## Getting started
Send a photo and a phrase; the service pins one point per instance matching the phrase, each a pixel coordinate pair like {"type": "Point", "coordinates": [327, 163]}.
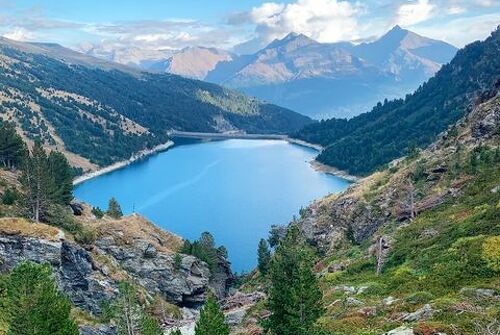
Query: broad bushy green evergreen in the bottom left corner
{"type": "Point", "coordinates": [35, 306]}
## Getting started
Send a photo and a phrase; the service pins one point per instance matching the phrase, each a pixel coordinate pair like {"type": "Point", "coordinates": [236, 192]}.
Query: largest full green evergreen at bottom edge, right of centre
{"type": "Point", "coordinates": [295, 297]}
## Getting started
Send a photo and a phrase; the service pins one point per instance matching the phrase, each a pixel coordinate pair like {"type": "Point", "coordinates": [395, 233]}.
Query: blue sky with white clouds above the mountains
{"type": "Point", "coordinates": [241, 25]}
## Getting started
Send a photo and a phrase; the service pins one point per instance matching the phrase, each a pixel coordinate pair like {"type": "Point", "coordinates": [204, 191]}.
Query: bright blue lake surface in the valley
{"type": "Point", "coordinates": [235, 189]}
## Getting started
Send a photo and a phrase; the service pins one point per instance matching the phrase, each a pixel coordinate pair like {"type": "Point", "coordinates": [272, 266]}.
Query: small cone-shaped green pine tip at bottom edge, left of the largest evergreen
{"type": "Point", "coordinates": [211, 320]}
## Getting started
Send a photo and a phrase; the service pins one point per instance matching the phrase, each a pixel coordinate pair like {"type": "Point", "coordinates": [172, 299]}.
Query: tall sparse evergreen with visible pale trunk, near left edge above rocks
{"type": "Point", "coordinates": [38, 183]}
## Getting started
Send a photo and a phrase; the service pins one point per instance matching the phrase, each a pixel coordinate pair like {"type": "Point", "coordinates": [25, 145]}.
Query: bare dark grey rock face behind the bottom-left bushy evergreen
{"type": "Point", "coordinates": [75, 272]}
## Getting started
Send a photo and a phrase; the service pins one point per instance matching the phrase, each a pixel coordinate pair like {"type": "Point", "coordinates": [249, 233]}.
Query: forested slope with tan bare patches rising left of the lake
{"type": "Point", "coordinates": [87, 106]}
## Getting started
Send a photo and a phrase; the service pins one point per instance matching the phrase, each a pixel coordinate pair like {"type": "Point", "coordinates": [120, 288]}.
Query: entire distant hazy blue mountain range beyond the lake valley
{"type": "Point", "coordinates": [316, 79]}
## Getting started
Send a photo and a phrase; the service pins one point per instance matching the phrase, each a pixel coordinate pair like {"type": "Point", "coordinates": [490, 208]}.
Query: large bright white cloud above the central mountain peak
{"type": "Point", "coordinates": [323, 20]}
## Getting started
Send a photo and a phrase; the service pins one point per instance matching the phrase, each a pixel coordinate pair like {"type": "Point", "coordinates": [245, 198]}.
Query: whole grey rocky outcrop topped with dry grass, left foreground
{"type": "Point", "coordinates": [130, 249]}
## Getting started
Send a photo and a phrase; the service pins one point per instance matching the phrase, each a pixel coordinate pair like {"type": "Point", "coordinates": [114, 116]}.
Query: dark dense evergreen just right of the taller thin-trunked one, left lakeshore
{"type": "Point", "coordinates": [62, 176]}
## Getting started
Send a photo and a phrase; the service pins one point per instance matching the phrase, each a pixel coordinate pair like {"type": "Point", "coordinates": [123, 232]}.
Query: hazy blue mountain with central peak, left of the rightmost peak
{"type": "Point", "coordinates": [297, 71]}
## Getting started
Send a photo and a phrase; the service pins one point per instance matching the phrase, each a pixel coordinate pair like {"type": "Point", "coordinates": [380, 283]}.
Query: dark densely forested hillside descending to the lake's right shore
{"type": "Point", "coordinates": [367, 142]}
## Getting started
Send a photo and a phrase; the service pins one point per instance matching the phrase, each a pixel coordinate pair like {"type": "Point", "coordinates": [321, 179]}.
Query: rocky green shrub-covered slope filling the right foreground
{"type": "Point", "coordinates": [412, 249]}
